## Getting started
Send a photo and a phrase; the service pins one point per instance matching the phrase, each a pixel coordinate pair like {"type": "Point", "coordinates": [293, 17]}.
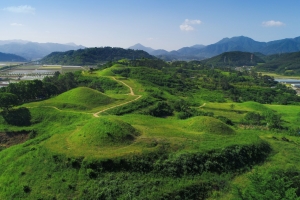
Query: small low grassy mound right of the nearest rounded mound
{"type": "Point", "coordinates": [209, 125]}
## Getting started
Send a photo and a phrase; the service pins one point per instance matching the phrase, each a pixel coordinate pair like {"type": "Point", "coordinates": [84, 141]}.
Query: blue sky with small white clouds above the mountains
{"type": "Point", "coordinates": [160, 24]}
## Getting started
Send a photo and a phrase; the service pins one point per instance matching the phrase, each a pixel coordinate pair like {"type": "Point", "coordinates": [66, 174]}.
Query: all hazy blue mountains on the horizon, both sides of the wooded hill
{"type": "Point", "coordinates": [34, 50]}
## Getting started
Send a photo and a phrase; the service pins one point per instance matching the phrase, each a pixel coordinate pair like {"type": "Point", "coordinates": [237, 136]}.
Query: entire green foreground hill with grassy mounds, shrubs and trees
{"type": "Point", "coordinates": [146, 129]}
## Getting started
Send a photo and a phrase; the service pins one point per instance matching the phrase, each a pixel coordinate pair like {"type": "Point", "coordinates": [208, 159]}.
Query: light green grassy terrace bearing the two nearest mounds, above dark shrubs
{"type": "Point", "coordinates": [90, 138]}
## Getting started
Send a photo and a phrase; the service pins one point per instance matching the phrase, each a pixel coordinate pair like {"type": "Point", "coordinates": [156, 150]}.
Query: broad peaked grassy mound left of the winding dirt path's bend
{"type": "Point", "coordinates": [81, 98]}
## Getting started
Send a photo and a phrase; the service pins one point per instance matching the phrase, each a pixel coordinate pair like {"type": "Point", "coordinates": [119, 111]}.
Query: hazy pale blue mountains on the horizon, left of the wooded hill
{"type": "Point", "coordinates": [34, 50]}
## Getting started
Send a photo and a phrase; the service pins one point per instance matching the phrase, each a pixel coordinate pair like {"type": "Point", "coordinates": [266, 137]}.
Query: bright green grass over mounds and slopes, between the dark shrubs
{"type": "Point", "coordinates": [54, 164]}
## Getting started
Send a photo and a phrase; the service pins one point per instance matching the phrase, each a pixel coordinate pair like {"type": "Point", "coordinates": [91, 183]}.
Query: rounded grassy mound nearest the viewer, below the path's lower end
{"type": "Point", "coordinates": [102, 132]}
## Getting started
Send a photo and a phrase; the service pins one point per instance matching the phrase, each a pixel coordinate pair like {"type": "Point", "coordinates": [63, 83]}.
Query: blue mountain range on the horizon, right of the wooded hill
{"type": "Point", "coordinates": [240, 43]}
